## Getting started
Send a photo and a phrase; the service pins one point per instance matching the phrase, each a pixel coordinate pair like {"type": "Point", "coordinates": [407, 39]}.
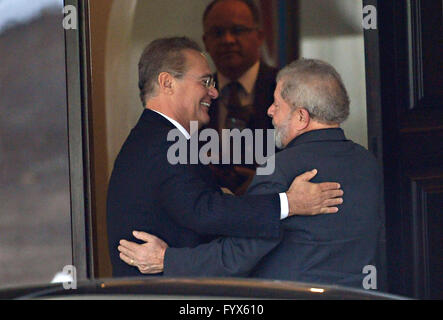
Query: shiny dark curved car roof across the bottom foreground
{"type": "Point", "coordinates": [193, 289]}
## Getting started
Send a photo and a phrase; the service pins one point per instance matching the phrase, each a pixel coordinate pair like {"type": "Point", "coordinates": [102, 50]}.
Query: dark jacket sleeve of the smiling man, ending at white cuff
{"type": "Point", "coordinates": [199, 205]}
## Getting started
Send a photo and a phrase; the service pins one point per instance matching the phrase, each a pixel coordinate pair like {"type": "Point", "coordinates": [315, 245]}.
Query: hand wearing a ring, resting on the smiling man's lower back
{"type": "Point", "coordinates": [147, 257]}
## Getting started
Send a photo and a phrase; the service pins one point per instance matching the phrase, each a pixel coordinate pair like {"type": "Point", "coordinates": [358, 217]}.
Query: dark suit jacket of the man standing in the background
{"type": "Point", "coordinates": [263, 97]}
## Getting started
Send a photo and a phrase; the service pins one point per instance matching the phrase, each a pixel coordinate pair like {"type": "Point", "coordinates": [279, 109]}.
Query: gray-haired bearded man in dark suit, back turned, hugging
{"type": "Point", "coordinates": [309, 105]}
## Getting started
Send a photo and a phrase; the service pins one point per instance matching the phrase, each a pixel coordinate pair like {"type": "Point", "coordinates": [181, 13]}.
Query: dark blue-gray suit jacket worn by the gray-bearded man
{"type": "Point", "coordinates": [327, 249]}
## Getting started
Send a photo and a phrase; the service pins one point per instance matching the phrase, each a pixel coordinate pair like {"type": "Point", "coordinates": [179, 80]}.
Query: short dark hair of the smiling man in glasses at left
{"type": "Point", "coordinates": [162, 55]}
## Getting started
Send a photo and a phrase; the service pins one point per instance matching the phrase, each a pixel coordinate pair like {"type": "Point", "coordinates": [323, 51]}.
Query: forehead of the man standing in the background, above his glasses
{"type": "Point", "coordinates": [227, 13]}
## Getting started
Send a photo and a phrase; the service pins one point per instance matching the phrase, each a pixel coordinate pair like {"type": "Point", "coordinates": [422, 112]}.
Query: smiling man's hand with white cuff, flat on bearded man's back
{"type": "Point", "coordinates": [307, 198]}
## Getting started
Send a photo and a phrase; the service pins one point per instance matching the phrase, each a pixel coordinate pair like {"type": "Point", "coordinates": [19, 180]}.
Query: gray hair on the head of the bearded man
{"type": "Point", "coordinates": [316, 86]}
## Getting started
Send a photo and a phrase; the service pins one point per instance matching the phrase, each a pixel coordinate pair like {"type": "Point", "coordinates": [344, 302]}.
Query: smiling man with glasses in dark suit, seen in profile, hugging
{"type": "Point", "coordinates": [181, 203]}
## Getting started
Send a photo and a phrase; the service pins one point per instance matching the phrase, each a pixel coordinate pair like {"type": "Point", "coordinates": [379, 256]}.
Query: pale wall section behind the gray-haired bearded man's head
{"type": "Point", "coordinates": [331, 31]}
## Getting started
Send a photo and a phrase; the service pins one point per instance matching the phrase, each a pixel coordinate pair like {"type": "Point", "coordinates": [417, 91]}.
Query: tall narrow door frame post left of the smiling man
{"type": "Point", "coordinates": [79, 137]}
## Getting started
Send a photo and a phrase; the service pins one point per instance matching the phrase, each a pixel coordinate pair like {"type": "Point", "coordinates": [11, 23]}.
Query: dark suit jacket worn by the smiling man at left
{"type": "Point", "coordinates": [178, 203]}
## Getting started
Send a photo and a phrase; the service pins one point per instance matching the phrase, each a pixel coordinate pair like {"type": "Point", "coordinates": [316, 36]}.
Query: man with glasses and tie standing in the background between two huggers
{"type": "Point", "coordinates": [233, 37]}
